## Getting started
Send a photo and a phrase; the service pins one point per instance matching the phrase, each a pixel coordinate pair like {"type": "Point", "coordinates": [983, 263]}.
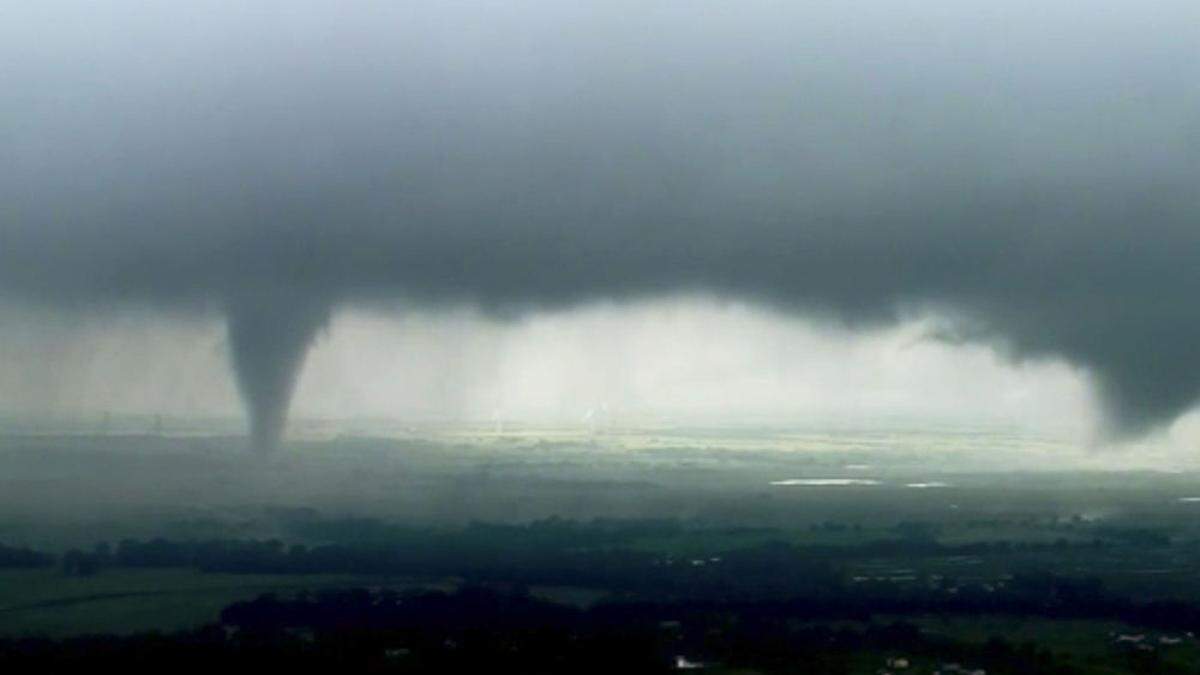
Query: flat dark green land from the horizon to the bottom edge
{"type": "Point", "coordinates": [463, 549]}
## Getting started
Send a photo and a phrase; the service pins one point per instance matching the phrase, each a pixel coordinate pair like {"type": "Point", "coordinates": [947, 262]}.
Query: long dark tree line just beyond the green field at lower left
{"type": "Point", "coordinates": [490, 552]}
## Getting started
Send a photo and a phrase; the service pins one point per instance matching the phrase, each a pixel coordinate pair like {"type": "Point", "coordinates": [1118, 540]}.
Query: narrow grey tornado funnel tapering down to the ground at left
{"type": "Point", "coordinates": [269, 338]}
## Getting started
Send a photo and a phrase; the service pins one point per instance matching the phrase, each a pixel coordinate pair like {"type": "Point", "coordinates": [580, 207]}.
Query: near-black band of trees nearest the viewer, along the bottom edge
{"type": "Point", "coordinates": [477, 630]}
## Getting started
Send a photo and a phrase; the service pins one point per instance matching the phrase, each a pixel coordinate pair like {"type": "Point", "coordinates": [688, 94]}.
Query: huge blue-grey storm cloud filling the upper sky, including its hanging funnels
{"type": "Point", "coordinates": [1029, 170]}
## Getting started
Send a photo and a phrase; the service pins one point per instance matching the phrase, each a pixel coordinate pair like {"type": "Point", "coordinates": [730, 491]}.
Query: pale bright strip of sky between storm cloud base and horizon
{"type": "Point", "coordinates": [689, 361]}
